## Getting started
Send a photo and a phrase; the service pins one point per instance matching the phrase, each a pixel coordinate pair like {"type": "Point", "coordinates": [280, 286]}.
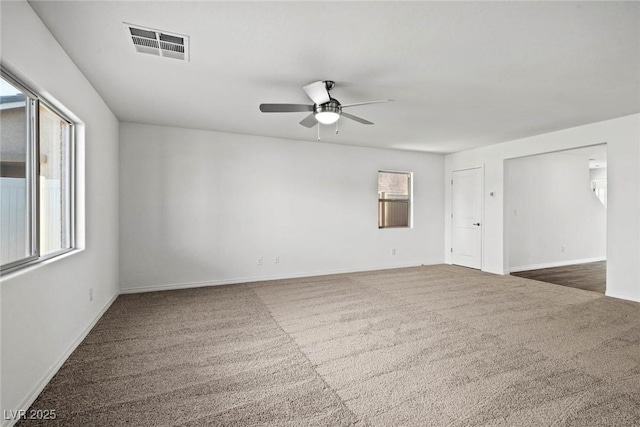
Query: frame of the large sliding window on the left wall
{"type": "Point", "coordinates": [32, 173]}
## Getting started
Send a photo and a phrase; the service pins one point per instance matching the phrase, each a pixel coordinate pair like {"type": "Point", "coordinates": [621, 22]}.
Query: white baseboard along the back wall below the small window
{"type": "Point", "coordinates": [251, 279]}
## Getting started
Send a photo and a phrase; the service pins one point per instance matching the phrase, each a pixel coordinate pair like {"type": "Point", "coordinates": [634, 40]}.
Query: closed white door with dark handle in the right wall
{"type": "Point", "coordinates": [466, 218]}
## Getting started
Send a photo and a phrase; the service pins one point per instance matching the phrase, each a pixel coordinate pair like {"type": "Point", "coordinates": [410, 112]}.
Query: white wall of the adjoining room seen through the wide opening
{"type": "Point", "coordinates": [553, 217]}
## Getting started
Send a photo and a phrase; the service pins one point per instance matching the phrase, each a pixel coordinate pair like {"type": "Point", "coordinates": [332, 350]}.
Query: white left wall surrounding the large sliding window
{"type": "Point", "coordinates": [46, 309]}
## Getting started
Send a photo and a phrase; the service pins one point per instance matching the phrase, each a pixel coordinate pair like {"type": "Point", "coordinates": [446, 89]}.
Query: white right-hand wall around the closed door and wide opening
{"type": "Point", "coordinates": [622, 136]}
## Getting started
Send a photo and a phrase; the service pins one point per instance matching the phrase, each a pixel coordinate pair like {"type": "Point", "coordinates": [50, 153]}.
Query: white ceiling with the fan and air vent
{"type": "Point", "coordinates": [462, 74]}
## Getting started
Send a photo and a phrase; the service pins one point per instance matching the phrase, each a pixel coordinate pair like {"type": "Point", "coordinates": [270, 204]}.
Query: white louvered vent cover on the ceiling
{"type": "Point", "coordinates": [159, 43]}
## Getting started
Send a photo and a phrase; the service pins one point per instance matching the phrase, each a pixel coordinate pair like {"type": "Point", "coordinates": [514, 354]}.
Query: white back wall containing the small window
{"type": "Point", "coordinates": [200, 207]}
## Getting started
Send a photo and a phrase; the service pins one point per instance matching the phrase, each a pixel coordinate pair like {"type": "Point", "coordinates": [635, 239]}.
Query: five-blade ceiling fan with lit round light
{"type": "Point", "coordinates": [325, 109]}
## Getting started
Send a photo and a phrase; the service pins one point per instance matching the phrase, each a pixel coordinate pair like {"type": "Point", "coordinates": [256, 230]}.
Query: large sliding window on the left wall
{"type": "Point", "coordinates": [36, 167]}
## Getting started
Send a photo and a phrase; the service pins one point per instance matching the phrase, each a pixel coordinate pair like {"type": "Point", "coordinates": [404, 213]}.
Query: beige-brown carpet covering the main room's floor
{"type": "Point", "coordinates": [437, 345]}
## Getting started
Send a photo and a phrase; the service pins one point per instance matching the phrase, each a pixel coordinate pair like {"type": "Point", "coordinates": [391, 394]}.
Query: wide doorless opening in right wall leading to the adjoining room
{"type": "Point", "coordinates": [556, 216]}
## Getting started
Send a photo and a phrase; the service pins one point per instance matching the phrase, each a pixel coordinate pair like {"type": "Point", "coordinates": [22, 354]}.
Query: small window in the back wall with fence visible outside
{"type": "Point", "coordinates": [394, 199]}
